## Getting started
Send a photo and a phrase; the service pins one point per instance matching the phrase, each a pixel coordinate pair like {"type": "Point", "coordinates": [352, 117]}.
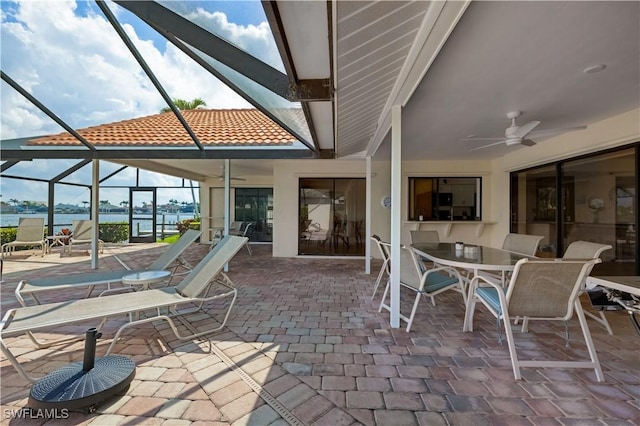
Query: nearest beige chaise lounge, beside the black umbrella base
{"type": "Point", "coordinates": [194, 292]}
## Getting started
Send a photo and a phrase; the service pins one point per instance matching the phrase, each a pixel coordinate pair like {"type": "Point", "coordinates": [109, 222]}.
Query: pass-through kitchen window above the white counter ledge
{"type": "Point", "coordinates": [445, 198]}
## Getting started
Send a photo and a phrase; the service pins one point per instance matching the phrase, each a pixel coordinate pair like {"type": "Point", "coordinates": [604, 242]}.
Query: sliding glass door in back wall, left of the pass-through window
{"type": "Point", "coordinates": [331, 216]}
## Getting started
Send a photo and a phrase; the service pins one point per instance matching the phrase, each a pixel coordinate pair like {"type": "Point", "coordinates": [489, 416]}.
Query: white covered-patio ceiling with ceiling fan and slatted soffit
{"type": "Point", "coordinates": [501, 56]}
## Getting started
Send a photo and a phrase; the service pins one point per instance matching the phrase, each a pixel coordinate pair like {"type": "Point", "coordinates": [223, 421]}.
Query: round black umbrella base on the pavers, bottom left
{"type": "Point", "coordinates": [73, 389]}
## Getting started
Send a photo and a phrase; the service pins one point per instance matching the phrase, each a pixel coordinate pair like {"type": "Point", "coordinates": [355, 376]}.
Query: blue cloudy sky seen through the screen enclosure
{"type": "Point", "coordinates": [68, 56]}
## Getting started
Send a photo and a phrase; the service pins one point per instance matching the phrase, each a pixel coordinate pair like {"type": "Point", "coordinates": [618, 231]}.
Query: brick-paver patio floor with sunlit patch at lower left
{"type": "Point", "coordinates": [306, 345]}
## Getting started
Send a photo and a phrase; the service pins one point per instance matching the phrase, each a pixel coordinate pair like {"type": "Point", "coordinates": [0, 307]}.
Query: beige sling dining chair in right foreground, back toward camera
{"type": "Point", "coordinates": [538, 290]}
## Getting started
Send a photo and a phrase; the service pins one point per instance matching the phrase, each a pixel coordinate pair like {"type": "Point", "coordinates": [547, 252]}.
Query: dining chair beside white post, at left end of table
{"type": "Point", "coordinates": [425, 282]}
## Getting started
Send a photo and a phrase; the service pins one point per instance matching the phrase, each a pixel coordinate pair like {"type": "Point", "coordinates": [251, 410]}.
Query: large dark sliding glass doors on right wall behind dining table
{"type": "Point", "coordinates": [592, 198]}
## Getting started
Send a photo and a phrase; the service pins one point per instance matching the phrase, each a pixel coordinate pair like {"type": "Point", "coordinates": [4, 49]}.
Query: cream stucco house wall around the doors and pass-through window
{"type": "Point", "coordinates": [613, 132]}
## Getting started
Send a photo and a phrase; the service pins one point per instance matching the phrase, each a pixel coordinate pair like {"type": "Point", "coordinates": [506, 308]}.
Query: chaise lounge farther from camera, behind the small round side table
{"type": "Point", "coordinates": [170, 256]}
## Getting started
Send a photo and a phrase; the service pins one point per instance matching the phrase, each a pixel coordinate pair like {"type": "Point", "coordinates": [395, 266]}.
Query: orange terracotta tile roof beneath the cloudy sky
{"type": "Point", "coordinates": [226, 127]}
